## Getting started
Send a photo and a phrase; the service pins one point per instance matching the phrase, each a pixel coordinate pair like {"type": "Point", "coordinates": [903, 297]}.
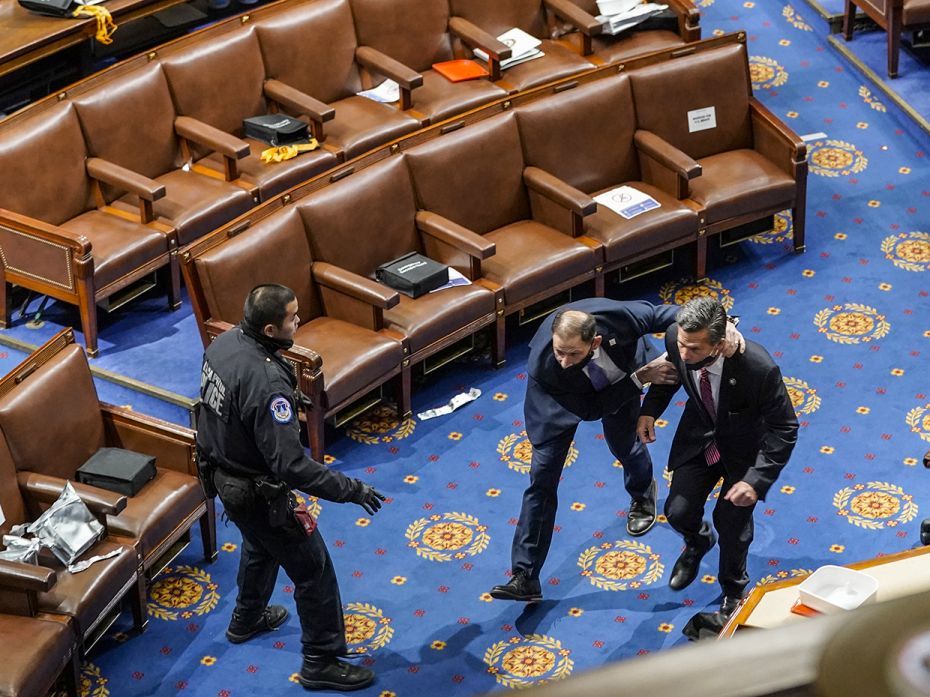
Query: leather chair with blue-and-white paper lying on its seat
{"type": "Point", "coordinates": [596, 151]}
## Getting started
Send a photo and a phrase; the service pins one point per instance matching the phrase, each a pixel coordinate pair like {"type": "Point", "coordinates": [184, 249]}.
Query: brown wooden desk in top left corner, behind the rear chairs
{"type": "Point", "coordinates": [26, 37]}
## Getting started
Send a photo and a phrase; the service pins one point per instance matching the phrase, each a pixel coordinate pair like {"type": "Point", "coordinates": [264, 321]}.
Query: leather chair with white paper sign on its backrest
{"type": "Point", "coordinates": [752, 165]}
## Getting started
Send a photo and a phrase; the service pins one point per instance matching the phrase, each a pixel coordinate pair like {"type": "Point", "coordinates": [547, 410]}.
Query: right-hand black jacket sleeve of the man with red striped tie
{"type": "Point", "coordinates": [781, 433]}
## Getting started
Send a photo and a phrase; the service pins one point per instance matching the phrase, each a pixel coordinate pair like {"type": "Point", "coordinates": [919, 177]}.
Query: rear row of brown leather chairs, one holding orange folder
{"type": "Point", "coordinates": [101, 184]}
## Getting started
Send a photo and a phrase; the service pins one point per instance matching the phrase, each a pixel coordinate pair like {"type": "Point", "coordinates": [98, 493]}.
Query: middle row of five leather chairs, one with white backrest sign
{"type": "Point", "coordinates": [506, 199]}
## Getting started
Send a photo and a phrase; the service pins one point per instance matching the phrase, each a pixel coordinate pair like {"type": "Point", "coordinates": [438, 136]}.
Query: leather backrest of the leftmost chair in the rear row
{"type": "Point", "coordinates": [42, 171]}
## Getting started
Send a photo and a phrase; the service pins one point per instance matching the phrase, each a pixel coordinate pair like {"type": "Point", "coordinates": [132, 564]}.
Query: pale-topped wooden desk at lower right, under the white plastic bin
{"type": "Point", "coordinates": [768, 606]}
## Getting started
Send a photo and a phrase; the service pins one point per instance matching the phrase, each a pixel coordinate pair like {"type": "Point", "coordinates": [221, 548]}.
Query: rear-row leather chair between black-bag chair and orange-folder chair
{"type": "Point", "coordinates": [311, 46]}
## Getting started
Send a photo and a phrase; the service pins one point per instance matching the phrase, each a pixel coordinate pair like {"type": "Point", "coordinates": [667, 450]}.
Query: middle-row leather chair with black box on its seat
{"type": "Point", "coordinates": [370, 218]}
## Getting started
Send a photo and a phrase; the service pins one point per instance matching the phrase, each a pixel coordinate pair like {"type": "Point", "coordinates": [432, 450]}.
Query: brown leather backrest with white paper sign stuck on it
{"type": "Point", "coordinates": [715, 79]}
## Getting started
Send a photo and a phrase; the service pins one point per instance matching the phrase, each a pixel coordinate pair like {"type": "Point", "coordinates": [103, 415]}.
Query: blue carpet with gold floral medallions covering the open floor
{"type": "Point", "coordinates": [848, 323]}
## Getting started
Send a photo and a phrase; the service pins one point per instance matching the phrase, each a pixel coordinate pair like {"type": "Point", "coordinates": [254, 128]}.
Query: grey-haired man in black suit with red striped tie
{"type": "Point", "coordinates": [738, 424]}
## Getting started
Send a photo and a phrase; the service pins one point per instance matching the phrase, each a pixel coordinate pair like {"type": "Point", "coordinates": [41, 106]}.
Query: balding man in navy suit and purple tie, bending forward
{"type": "Point", "coordinates": [588, 361]}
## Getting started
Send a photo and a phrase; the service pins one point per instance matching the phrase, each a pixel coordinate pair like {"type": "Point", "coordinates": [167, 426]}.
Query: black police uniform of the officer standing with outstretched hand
{"type": "Point", "coordinates": [248, 433]}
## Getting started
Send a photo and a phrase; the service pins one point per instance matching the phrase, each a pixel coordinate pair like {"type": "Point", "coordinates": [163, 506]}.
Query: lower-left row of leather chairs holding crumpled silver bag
{"type": "Point", "coordinates": [51, 421]}
